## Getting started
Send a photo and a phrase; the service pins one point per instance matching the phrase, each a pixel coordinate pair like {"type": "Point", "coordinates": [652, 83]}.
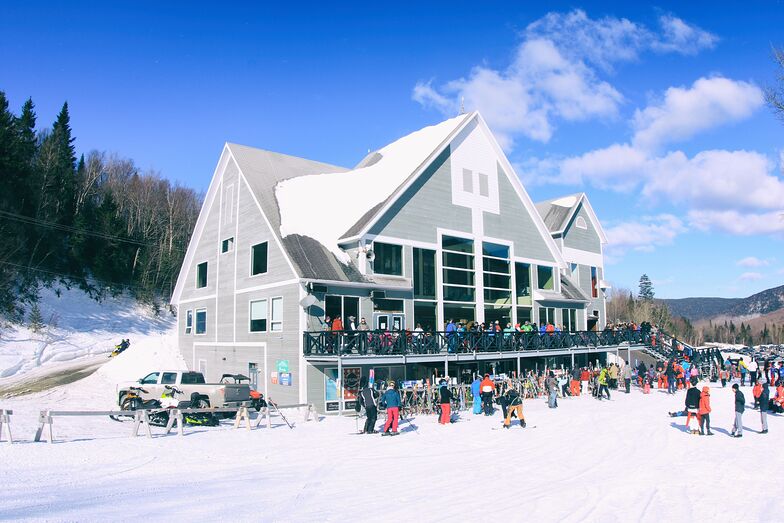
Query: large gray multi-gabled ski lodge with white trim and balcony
{"type": "Point", "coordinates": [433, 227]}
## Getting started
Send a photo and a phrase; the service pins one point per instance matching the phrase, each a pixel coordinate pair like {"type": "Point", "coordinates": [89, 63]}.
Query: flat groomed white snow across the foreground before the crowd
{"type": "Point", "coordinates": [620, 460]}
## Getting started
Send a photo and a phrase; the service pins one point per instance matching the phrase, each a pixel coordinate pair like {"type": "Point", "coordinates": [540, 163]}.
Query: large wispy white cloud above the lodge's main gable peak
{"type": "Point", "coordinates": [553, 75]}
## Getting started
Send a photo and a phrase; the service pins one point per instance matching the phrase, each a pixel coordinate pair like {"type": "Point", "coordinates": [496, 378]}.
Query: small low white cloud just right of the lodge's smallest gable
{"type": "Point", "coordinates": [644, 234]}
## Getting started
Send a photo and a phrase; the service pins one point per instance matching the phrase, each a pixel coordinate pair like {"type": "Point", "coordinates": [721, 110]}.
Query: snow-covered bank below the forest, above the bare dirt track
{"type": "Point", "coordinates": [79, 332]}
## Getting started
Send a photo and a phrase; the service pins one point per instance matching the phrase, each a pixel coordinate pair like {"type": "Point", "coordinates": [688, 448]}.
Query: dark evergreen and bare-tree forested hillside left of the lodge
{"type": "Point", "coordinates": [90, 220]}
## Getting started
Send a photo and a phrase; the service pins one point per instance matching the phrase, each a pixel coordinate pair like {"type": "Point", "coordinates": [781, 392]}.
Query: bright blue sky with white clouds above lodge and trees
{"type": "Point", "coordinates": [655, 111]}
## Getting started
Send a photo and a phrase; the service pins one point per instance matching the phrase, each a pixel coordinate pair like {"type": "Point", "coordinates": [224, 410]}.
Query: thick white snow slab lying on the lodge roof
{"type": "Point", "coordinates": [336, 201]}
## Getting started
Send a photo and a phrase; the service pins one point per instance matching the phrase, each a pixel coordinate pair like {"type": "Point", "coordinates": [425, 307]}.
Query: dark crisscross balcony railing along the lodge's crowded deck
{"type": "Point", "coordinates": [399, 343]}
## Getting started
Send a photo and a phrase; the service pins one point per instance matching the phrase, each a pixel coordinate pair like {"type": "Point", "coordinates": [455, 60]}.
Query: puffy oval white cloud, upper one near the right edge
{"type": "Point", "coordinates": [683, 112]}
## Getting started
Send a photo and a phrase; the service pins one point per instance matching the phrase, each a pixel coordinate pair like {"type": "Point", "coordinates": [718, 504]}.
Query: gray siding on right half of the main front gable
{"type": "Point", "coordinates": [515, 223]}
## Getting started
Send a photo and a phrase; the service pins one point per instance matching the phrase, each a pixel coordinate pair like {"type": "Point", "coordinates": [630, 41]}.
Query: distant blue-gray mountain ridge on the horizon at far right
{"type": "Point", "coordinates": [764, 302]}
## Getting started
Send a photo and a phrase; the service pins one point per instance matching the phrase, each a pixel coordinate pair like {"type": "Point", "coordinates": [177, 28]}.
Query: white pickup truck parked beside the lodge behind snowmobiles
{"type": "Point", "coordinates": [154, 384]}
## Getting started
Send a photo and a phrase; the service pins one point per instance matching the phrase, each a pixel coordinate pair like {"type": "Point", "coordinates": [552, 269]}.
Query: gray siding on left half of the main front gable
{"type": "Point", "coordinates": [425, 206]}
